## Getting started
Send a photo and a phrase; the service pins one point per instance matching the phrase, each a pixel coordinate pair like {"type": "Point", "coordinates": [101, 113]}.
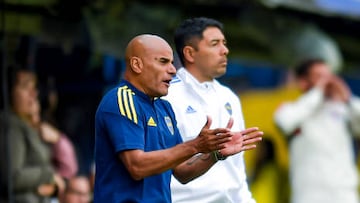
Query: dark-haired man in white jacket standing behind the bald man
{"type": "Point", "coordinates": [194, 94]}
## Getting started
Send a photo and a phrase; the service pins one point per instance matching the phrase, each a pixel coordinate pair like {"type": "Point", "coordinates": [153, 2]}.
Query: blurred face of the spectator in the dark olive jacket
{"type": "Point", "coordinates": [24, 94]}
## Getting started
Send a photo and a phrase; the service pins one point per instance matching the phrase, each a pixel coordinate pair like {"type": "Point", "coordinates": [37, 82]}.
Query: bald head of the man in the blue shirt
{"type": "Point", "coordinates": [149, 64]}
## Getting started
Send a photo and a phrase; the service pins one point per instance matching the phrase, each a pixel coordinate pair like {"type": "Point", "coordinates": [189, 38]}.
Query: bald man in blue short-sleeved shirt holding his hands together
{"type": "Point", "coordinates": [137, 144]}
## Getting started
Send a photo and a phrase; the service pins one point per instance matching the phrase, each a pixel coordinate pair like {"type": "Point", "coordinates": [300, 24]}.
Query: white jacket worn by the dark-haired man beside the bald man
{"type": "Point", "coordinates": [192, 102]}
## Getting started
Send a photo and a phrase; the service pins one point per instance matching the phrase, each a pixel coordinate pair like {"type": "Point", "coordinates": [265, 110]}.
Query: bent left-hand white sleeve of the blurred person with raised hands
{"type": "Point", "coordinates": [289, 116]}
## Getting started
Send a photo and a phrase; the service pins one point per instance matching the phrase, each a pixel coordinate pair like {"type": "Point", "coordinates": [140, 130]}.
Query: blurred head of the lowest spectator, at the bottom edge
{"type": "Point", "coordinates": [78, 190]}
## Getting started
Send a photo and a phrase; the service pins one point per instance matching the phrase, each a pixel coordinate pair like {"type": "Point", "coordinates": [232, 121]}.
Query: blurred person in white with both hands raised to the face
{"type": "Point", "coordinates": [319, 126]}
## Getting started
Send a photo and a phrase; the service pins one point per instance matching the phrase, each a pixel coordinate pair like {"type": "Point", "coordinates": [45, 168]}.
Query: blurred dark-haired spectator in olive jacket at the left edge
{"type": "Point", "coordinates": [31, 173]}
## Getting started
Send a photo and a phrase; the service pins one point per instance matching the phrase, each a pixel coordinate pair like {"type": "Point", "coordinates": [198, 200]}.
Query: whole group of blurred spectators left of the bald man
{"type": "Point", "coordinates": [40, 162]}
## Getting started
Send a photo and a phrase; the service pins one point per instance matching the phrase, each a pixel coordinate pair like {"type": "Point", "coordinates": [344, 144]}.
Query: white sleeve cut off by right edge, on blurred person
{"type": "Point", "coordinates": [354, 109]}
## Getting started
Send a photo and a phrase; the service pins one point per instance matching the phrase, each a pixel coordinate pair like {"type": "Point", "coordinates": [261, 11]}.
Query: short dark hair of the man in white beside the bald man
{"type": "Point", "coordinates": [191, 30]}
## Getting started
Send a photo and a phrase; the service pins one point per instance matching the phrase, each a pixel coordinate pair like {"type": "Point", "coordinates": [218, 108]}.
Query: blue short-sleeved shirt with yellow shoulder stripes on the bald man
{"type": "Point", "coordinates": [127, 119]}
